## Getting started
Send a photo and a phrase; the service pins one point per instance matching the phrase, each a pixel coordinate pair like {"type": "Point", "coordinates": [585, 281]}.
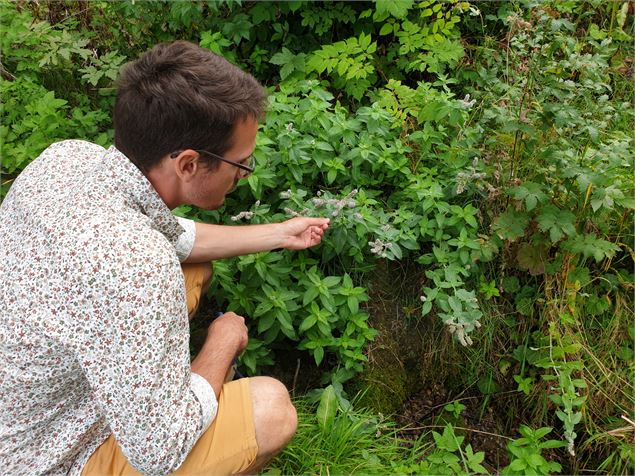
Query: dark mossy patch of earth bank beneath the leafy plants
{"type": "Point", "coordinates": [410, 352]}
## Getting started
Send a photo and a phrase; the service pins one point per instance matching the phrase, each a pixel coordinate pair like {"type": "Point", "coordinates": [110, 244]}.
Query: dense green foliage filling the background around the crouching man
{"type": "Point", "coordinates": [490, 143]}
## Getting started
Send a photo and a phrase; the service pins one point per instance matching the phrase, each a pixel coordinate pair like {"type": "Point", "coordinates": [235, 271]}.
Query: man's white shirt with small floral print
{"type": "Point", "coordinates": [94, 335]}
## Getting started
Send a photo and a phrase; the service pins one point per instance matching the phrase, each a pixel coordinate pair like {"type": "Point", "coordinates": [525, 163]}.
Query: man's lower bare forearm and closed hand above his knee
{"type": "Point", "coordinates": [226, 338]}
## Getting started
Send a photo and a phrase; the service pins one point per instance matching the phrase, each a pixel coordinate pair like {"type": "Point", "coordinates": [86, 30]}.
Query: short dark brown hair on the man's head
{"type": "Point", "coordinates": [180, 96]}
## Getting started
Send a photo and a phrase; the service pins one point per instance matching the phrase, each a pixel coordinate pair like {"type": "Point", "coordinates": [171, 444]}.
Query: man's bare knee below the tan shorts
{"type": "Point", "coordinates": [275, 416]}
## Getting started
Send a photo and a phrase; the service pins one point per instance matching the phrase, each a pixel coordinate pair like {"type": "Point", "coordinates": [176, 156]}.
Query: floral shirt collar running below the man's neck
{"type": "Point", "coordinates": [135, 186]}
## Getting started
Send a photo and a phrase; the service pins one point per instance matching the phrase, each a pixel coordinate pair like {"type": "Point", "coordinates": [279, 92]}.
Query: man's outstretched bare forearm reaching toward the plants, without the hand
{"type": "Point", "coordinates": [220, 241]}
